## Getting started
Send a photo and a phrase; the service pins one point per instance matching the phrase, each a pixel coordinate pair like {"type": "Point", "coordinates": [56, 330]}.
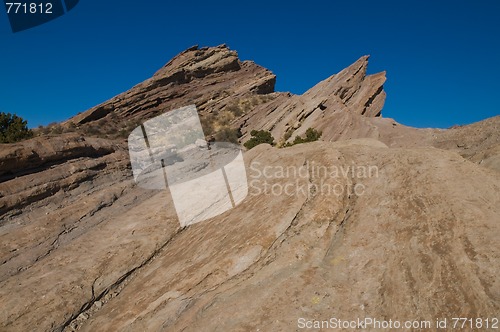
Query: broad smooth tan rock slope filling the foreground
{"type": "Point", "coordinates": [417, 227]}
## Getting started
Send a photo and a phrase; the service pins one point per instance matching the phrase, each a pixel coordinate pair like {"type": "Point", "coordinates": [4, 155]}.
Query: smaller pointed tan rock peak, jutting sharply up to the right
{"type": "Point", "coordinates": [349, 93]}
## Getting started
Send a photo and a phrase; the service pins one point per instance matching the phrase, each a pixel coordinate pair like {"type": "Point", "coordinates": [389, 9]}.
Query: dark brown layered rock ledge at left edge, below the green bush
{"type": "Point", "coordinates": [39, 168]}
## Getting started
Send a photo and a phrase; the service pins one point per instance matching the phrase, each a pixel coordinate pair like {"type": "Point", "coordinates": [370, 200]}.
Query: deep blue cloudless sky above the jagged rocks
{"type": "Point", "coordinates": [442, 57]}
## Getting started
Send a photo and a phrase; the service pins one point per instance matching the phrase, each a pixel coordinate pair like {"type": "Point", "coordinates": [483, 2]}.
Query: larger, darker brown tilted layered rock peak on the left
{"type": "Point", "coordinates": [210, 77]}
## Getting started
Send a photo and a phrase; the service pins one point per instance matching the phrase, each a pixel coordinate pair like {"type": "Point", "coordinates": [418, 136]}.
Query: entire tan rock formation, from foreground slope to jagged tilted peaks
{"type": "Point", "coordinates": [412, 233]}
